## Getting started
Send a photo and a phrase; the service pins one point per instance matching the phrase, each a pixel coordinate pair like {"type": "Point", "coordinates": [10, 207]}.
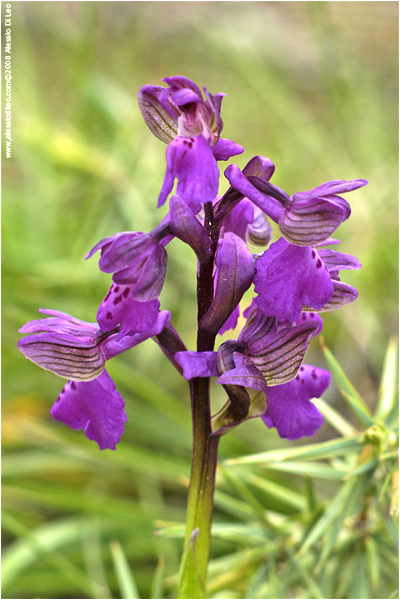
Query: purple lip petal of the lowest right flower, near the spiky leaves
{"type": "Point", "coordinates": [289, 406]}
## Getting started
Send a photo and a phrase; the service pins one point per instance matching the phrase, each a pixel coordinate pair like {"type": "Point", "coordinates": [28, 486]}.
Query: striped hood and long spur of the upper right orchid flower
{"type": "Point", "coordinates": [306, 218]}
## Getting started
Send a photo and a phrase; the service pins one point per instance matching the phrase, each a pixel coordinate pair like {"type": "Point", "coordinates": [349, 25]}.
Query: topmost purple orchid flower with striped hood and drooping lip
{"type": "Point", "coordinates": [191, 125]}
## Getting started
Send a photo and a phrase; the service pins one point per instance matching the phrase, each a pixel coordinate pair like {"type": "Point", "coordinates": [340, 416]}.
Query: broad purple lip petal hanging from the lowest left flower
{"type": "Point", "coordinates": [94, 406]}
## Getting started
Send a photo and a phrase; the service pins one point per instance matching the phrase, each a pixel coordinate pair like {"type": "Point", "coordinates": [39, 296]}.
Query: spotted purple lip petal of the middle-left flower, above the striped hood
{"type": "Point", "coordinates": [120, 308]}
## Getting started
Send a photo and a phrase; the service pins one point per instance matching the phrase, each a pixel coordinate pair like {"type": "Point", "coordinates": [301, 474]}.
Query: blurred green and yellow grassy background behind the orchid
{"type": "Point", "coordinates": [313, 86]}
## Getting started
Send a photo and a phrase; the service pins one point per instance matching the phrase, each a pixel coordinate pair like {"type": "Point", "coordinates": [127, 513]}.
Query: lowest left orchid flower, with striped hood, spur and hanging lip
{"type": "Point", "coordinates": [78, 351]}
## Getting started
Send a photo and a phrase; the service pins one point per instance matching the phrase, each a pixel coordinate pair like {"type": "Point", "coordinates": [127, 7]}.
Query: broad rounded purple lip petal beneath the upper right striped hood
{"type": "Point", "coordinates": [288, 277]}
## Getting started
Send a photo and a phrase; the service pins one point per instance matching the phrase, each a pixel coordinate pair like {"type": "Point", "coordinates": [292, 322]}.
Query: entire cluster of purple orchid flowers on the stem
{"type": "Point", "coordinates": [262, 371]}
